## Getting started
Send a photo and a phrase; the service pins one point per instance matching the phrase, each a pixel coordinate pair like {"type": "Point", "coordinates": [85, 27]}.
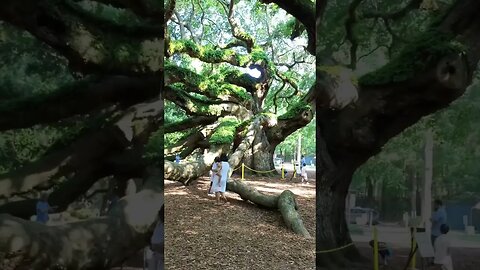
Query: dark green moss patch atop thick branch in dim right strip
{"type": "Point", "coordinates": [417, 56]}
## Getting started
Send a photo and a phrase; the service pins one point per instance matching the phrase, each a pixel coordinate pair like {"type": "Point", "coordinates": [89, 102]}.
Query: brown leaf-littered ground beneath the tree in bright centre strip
{"type": "Point", "coordinates": [240, 235]}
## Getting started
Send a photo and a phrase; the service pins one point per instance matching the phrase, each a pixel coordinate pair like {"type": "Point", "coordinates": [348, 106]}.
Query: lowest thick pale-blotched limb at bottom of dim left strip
{"type": "Point", "coordinates": [99, 243]}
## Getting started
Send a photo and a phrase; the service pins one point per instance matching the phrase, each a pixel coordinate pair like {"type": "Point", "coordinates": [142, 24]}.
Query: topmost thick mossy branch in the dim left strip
{"type": "Point", "coordinates": [87, 47]}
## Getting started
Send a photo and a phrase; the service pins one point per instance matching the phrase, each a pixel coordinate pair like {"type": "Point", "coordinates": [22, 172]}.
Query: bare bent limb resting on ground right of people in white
{"type": "Point", "coordinates": [285, 203]}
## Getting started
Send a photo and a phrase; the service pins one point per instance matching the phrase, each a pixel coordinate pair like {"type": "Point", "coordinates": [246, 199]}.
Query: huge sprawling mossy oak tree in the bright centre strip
{"type": "Point", "coordinates": [225, 110]}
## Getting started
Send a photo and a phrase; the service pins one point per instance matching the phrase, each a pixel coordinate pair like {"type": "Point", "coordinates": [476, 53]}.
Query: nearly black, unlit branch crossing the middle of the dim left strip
{"type": "Point", "coordinates": [78, 98]}
